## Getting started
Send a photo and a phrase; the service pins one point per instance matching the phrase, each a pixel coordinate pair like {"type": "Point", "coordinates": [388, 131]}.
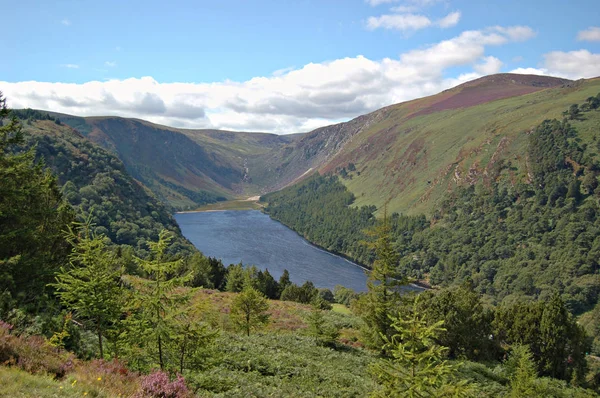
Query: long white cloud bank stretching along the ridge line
{"type": "Point", "coordinates": [286, 102]}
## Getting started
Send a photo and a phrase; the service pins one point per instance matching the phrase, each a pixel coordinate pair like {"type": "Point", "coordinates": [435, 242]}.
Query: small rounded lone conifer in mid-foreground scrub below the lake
{"type": "Point", "coordinates": [249, 310]}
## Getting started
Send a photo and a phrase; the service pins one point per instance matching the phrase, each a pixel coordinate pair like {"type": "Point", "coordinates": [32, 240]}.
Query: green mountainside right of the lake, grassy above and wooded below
{"type": "Point", "coordinates": [515, 213]}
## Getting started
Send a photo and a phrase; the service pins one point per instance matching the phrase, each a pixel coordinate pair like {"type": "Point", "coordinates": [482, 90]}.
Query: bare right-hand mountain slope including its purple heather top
{"type": "Point", "coordinates": [409, 154]}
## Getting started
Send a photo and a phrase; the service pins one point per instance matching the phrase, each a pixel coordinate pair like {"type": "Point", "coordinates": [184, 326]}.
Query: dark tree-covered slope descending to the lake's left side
{"type": "Point", "coordinates": [97, 185]}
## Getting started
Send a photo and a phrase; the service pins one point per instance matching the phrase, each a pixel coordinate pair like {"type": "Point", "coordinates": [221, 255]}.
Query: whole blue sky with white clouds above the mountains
{"type": "Point", "coordinates": [278, 66]}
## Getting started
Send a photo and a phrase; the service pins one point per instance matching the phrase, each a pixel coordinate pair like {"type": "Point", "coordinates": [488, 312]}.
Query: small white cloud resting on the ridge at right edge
{"type": "Point", "coordinates": [573, 64]}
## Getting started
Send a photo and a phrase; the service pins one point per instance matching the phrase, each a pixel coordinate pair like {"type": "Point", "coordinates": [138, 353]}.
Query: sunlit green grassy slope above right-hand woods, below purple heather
{"type": "Point", "coordinates": [410, 161]}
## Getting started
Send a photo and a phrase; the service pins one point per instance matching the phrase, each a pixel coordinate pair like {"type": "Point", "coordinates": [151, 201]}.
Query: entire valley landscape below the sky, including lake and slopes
{"type": "Point", "coordinates": [487, 192]}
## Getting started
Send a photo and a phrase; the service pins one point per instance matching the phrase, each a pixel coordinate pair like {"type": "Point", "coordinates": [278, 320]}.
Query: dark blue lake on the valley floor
{"type": "Point", "coordinates": [255, 239]}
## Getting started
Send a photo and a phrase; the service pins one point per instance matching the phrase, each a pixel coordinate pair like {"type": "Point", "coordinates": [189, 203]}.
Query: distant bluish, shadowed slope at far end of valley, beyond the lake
{"type": "Point", "coordinates": [184, 168]}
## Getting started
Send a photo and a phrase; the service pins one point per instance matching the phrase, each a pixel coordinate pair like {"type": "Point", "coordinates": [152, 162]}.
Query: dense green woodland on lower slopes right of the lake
{"type": "Point", "coordinates": [515, 240]}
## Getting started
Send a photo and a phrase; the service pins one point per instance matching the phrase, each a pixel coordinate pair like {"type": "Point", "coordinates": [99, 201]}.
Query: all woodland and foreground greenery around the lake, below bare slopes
{"type": "Point", "coordinates": [102, 296]}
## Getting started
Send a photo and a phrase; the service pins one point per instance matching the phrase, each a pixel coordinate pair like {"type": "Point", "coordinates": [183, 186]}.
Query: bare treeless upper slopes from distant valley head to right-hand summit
{"type": "Point", "coordinates": [406, 155]}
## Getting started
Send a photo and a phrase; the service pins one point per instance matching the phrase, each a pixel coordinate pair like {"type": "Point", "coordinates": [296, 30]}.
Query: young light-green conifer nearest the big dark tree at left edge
{"type": "Point", "coordinates": [91, 285]}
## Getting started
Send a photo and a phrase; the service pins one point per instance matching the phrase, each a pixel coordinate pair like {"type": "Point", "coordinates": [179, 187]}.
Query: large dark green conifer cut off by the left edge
{"type": "Point", "coordinates": [33, 217]}
